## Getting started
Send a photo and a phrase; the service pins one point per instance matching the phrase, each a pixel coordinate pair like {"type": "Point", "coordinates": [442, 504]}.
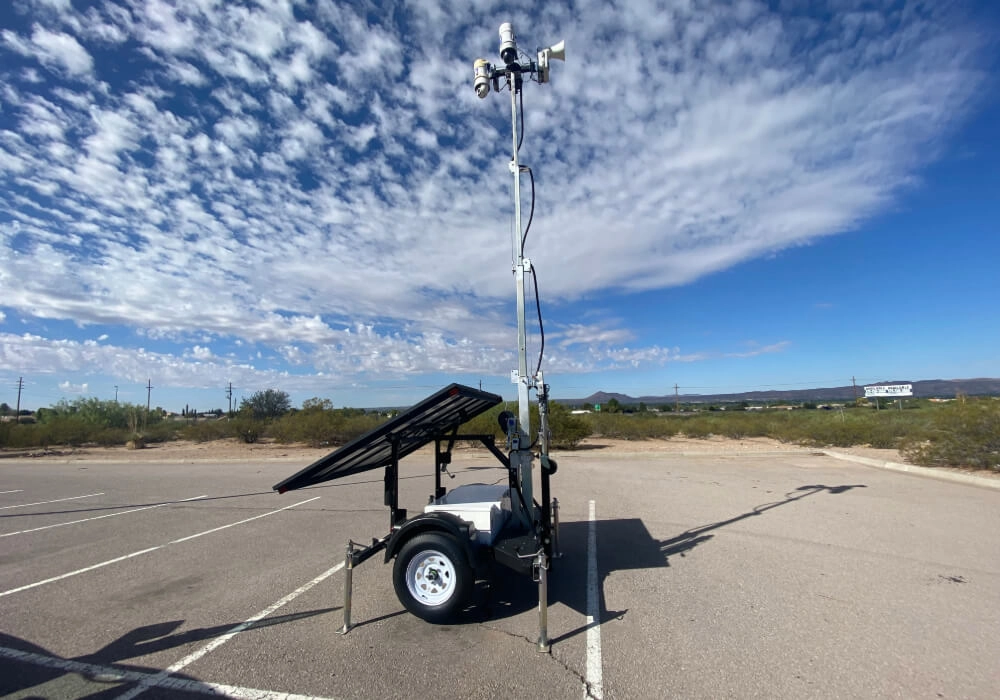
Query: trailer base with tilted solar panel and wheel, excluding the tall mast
{"type": "Point", "coordinates": [438, 551]}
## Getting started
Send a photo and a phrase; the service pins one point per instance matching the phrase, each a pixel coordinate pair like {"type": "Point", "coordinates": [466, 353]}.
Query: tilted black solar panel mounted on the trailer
{"type": "Point", "coordinates": [434, 416]}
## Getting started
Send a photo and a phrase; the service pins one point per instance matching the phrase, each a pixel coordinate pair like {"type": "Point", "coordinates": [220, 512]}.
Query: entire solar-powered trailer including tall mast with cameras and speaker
{"type": "Point", "coordinates": [438, 551]}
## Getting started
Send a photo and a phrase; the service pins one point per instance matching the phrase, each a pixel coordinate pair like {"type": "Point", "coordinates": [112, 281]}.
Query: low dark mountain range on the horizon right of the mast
{"type": "Point", "coordinates": [927, 388]}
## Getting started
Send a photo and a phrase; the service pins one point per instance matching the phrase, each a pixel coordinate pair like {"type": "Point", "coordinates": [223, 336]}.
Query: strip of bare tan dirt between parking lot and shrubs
{"type": "Point", "coordinates": [233, 450]}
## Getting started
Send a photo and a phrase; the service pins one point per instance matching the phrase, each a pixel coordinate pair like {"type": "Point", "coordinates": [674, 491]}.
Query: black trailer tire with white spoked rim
{"type": "Point", "coordinates": [432, 578]}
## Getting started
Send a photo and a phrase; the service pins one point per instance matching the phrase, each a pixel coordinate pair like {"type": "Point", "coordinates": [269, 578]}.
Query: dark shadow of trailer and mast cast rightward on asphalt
{"type": "Point", "coordinates": [622, 544]}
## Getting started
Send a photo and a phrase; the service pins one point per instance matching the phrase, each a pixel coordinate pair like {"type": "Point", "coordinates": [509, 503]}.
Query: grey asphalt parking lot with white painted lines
{"type": "Point", "coordinates": [787, 575]}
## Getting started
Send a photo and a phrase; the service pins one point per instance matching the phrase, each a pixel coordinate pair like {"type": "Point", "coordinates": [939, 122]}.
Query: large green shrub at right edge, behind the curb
{"type": "Point", "coordinates": [963, 434]}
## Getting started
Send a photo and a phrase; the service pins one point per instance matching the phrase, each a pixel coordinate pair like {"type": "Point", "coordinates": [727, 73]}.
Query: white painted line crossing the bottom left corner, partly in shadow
{"type": "Point", "coordinates": [180, 684]}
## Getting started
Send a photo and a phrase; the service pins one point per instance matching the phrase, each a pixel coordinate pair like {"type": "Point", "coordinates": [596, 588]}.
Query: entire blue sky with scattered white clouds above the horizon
{"type": "Point", "coordinates": [310, 197]}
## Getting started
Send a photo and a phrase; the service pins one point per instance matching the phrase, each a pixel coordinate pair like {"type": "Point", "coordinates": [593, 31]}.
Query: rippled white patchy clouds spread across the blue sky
{"type": "Point", "coordinates": [301, 178]}
